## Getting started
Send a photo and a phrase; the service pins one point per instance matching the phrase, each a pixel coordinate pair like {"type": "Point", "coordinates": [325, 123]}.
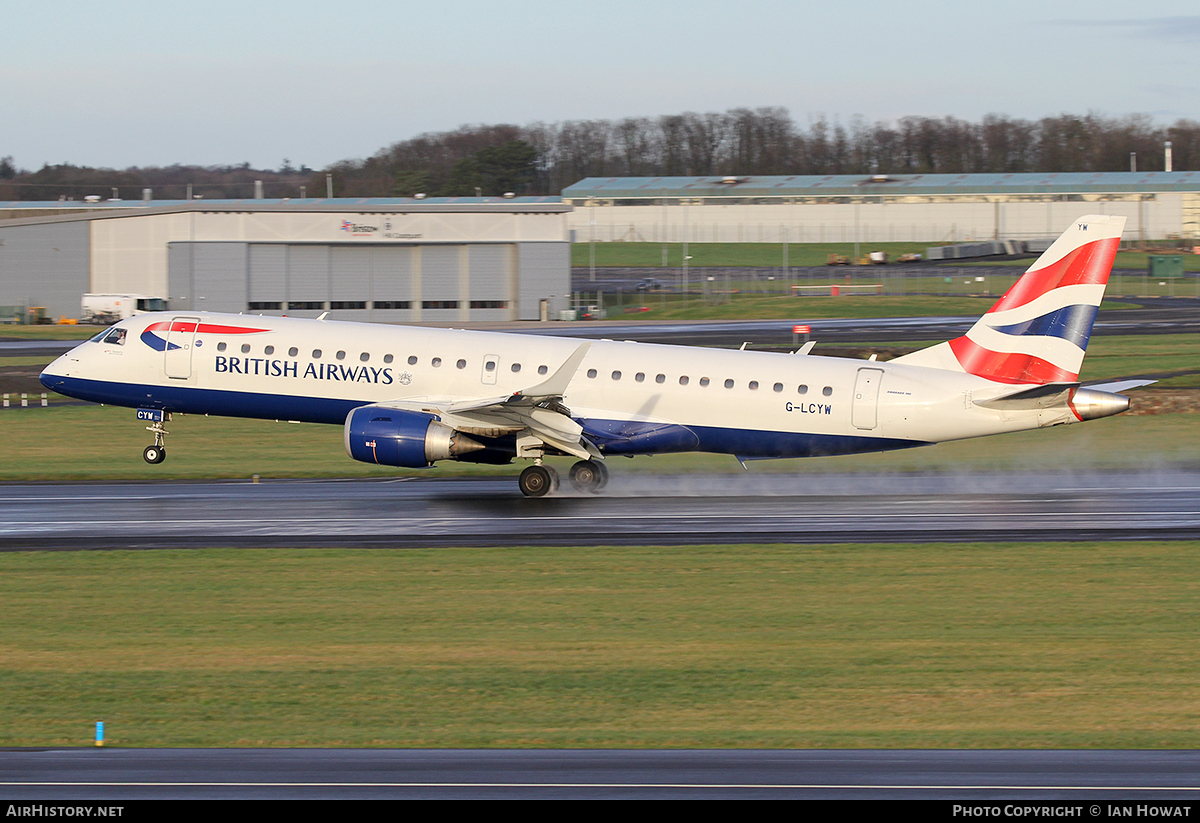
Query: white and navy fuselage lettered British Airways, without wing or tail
{"type": "Point", "coordinates": [629, 398]}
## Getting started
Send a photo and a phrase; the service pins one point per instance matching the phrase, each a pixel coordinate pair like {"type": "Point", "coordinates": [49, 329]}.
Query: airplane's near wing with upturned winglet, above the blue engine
{"type": "Point", "coordinates": [537, 410]}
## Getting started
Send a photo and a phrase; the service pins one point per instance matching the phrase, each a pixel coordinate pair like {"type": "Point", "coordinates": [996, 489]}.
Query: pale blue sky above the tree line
{"type": "Point", "coordinates": [134, 82]}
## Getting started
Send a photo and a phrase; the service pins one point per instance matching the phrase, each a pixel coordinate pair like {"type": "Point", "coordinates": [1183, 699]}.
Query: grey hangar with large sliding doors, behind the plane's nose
{"type": "Point", "coordinates": [387, 261]}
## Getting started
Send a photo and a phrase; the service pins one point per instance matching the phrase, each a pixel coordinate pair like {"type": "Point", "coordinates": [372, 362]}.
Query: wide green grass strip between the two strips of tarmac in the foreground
{"type": "Point", "coordinates": [865, 646]}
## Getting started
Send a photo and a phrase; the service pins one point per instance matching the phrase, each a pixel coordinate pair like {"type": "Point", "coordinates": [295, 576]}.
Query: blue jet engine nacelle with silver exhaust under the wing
{"type": "Point", "coordinates": [392, 437]}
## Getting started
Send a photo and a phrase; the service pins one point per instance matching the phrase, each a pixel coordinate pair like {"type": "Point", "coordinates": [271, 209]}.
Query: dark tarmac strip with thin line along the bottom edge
{"type": "Point", "coordinates": [1082, 777]}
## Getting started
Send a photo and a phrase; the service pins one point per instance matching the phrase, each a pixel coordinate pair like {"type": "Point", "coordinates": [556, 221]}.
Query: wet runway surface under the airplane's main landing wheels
{"type": "Point", "coordinates": [634, 510]}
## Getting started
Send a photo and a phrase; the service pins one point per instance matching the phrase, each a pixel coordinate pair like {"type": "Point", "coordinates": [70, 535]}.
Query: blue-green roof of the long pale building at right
{"type": "Point", "coordinates": [891, 184]}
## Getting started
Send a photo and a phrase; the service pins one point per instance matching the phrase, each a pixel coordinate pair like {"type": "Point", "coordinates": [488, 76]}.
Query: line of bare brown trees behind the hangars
{"type": "Point", "coordinates": [543, 159]}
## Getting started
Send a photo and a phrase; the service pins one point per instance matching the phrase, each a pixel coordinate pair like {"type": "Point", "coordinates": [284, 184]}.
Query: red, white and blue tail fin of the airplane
{"type": "Point", "coordinates": [1039, 332]}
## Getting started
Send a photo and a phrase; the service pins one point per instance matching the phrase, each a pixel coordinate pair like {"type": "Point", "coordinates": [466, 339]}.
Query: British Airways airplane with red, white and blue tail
{"type": "Point", "coordinates": [412, 397]}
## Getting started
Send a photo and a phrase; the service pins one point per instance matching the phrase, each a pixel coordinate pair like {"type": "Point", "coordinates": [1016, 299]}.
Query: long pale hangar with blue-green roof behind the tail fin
{"type": "Point", "coordinates": [880, 208]}
